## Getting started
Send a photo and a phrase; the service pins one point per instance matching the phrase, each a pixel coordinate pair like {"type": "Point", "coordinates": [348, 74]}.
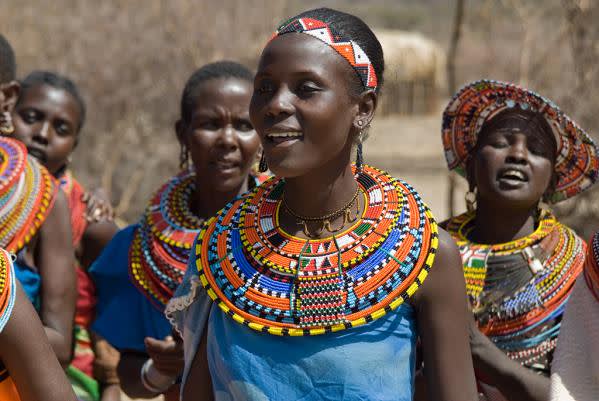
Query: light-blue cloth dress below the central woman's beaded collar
{"type": "Point", "coordinates": [375, 361]}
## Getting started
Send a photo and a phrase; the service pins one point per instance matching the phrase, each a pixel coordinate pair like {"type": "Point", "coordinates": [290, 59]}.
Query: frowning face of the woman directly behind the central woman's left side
{"type": "Point", "coordinates": [220, 137]}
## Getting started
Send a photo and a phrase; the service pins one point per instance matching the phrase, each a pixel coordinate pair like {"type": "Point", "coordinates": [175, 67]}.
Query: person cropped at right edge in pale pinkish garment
{"type": "Point", "coordinates": [575, 371]}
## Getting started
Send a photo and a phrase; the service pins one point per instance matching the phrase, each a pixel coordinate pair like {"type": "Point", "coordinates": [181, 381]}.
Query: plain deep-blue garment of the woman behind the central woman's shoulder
{"type": "Point", "coordinates": [124, 316]}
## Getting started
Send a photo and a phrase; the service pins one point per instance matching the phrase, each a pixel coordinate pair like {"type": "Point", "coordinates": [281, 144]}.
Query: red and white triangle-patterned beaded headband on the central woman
{"type": "Point", "coordinates": [347, 48]}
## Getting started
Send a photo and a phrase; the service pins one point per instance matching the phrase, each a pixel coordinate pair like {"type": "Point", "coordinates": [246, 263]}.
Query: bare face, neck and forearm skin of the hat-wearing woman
{"type": "Point", "coordinates": [506, 205]}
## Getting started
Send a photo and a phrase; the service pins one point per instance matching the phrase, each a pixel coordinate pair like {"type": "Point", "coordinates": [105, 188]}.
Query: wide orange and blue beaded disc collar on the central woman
{"type": "Point", "coordinates": [276, 283]}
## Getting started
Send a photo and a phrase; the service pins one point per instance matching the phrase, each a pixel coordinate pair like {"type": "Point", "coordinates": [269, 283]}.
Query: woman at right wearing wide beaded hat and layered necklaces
{"type": "Point", "coordinates": [516, 149]}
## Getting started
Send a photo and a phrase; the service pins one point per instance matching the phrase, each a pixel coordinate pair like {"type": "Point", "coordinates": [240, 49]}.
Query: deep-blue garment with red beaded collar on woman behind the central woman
{"type": "Point", "coordinates": [141, 267]}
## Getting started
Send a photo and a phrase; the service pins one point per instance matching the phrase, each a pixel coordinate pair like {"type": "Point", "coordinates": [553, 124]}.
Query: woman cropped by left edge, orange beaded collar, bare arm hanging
{"type": "Point", "coordinates": [35, 227]}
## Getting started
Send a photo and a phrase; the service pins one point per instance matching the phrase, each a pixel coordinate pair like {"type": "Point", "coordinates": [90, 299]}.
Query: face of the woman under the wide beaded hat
{"type": "Point", "coordinates": [513, 167]}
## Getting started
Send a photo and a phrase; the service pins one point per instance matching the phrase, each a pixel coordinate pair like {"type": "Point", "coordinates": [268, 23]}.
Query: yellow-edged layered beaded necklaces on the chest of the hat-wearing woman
{"type": "Point", "coordinates": [518, 290]}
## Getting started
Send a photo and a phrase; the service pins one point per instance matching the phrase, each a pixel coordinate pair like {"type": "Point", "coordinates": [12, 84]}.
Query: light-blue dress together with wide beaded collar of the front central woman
{"type": "Point", "coordinates": [258, 286]}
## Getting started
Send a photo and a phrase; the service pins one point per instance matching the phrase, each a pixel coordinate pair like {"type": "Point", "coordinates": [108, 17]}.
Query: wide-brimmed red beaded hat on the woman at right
{"type": "Point", "coordinates": [576, 166]}
